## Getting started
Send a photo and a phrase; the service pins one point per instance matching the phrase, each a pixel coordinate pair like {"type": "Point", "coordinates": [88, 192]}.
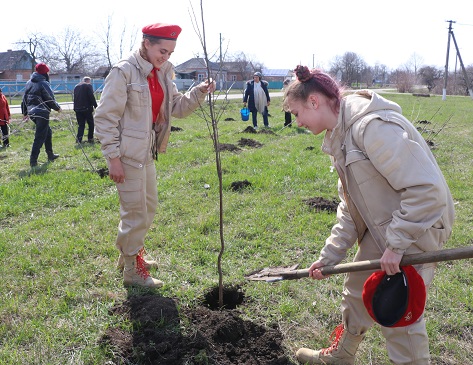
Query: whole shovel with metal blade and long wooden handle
{"type": "Point", "coordinates": [290, 273]}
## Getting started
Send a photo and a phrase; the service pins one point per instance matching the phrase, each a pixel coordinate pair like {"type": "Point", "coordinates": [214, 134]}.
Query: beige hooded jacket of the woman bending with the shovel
{"type": "Point", "coordinates": [390, 183]}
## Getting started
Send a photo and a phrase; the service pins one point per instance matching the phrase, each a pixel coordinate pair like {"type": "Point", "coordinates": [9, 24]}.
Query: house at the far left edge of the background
{"type": "Point", "coordinates": [15, 65]}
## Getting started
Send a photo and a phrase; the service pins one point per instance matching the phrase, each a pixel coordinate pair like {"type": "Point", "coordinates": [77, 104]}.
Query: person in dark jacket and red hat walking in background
{"type": "Point", "coordinates": [37, 103]}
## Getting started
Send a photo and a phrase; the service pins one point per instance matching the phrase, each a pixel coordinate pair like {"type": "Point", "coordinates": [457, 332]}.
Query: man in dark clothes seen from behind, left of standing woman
{"type": "Point", "coordinates": [84, 104]}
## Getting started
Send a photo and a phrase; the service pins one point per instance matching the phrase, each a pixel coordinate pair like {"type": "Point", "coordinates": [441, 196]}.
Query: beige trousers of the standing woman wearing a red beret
{"type": "Point", "coordinates": [138, 202]}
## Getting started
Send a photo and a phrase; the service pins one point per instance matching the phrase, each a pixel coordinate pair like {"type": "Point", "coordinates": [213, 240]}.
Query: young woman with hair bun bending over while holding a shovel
{"type": "Point", "coordinates": [394, 202]}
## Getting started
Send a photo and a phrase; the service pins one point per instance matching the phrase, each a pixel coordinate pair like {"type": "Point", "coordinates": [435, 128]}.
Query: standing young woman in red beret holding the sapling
{"type": "Point", "coordinates": [133, 124]}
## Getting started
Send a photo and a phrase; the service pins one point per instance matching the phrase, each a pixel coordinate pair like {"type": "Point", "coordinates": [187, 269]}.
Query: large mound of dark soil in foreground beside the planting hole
{"type": "Point", "coordinates": [161, 335]}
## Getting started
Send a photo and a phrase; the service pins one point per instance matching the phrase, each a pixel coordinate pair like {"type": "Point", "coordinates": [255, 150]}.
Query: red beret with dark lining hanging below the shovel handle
{"type": "Point", "coordinates": [397, 300]}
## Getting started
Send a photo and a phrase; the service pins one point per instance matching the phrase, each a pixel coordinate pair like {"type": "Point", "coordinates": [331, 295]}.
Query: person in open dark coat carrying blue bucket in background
{"type": "Point", "coordinates": [257, 97]}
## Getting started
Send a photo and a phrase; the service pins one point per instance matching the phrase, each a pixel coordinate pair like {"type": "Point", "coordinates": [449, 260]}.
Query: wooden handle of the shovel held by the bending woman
{"type": "Point", "coordinates": [420, 258]}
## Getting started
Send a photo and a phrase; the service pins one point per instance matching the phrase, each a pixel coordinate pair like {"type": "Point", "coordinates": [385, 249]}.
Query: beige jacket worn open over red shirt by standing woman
{"type": "Point", "coordinates": [123, 118]}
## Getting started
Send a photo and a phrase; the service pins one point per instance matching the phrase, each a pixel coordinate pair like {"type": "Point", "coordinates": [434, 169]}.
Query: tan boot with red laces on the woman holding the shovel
{"type": "Point", "coordinates": [341, 352]}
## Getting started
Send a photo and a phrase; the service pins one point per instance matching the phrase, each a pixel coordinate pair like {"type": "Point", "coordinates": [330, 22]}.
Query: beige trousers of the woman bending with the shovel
{"type": "Point", "coordinates": [405, 345]}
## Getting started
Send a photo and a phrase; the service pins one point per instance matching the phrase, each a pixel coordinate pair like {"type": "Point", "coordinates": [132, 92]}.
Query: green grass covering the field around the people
{"type": "Point", "coordinates": [58, 226]}
